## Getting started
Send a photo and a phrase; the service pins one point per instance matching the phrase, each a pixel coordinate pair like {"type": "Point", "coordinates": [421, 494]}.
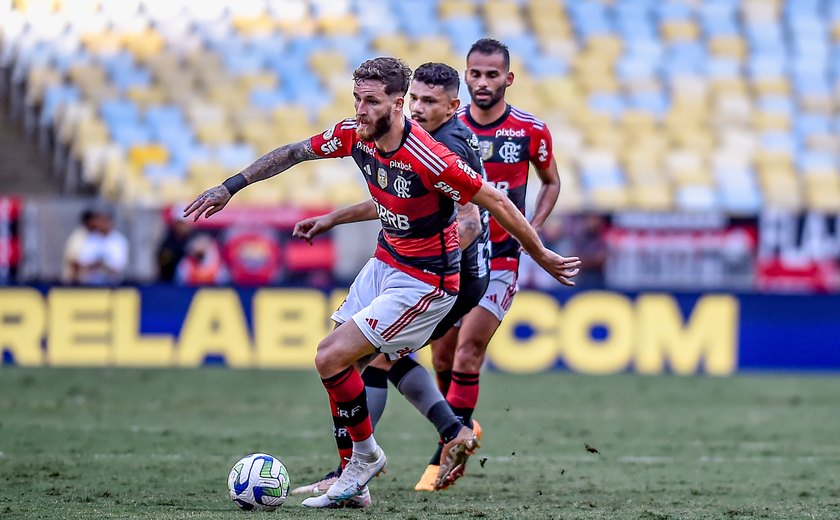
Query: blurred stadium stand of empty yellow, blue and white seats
{"type": "Point", "coordinates": [656, 105]}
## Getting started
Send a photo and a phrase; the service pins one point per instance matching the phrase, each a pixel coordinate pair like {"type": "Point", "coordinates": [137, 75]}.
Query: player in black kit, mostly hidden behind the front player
{"type": "Point", "coordinates": [433, 103]}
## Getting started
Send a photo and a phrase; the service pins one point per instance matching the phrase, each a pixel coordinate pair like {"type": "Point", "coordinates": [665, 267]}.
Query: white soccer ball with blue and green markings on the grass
{"type": "Point", "coordinates": [258, 482]}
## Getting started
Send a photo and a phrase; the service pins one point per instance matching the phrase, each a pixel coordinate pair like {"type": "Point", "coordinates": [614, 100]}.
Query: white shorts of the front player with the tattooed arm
{"type": "Point", "coordinates": [396, 312]}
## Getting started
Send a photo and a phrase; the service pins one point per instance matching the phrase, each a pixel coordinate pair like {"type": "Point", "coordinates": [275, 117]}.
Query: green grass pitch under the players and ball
{"type": "Point", "coordinates": [158, 444]}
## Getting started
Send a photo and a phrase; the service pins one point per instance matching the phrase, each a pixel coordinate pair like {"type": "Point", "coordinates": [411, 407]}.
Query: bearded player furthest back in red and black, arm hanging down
{"type": "Point", "coordinates": [510, 141]}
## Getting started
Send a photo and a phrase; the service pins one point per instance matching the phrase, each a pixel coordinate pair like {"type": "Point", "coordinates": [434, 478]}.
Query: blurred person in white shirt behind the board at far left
{"type": "Point", "coordinates": [96, 253]}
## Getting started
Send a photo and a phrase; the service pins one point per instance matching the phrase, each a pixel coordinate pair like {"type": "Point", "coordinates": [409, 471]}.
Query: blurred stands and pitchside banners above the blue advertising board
{"type": "Point", "coordinates": [697, 141]}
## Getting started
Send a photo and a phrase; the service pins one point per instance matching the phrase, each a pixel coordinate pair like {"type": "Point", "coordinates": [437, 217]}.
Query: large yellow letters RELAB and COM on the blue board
{"type": "Point", "coordinates": [101, 327]}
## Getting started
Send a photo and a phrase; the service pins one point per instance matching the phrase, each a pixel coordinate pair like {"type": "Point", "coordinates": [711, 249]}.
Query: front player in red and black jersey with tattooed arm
{"type": "Point", "coordinates": [413, 279]}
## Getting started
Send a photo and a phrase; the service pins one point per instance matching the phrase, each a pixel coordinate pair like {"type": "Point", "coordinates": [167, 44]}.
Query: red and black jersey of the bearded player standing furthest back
{"type": "Point", "coordinates": [507, 146]}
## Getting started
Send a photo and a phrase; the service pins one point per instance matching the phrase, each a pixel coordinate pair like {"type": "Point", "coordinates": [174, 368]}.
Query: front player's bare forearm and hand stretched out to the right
{"type": "Point", "coordinates": [509, 217]}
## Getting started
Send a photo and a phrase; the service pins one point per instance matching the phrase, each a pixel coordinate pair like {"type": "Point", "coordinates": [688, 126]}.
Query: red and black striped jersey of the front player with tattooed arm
{"type": "Point", "coordinates": [414, 189]}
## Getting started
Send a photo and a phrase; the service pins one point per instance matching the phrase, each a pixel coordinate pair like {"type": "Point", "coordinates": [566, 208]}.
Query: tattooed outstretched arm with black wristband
{"type": "Point", "coordinates": [274, 162]}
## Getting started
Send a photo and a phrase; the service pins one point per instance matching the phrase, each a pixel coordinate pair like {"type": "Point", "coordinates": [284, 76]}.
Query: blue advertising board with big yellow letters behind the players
{"type": "Point", "coordinates": [594, 332]}
